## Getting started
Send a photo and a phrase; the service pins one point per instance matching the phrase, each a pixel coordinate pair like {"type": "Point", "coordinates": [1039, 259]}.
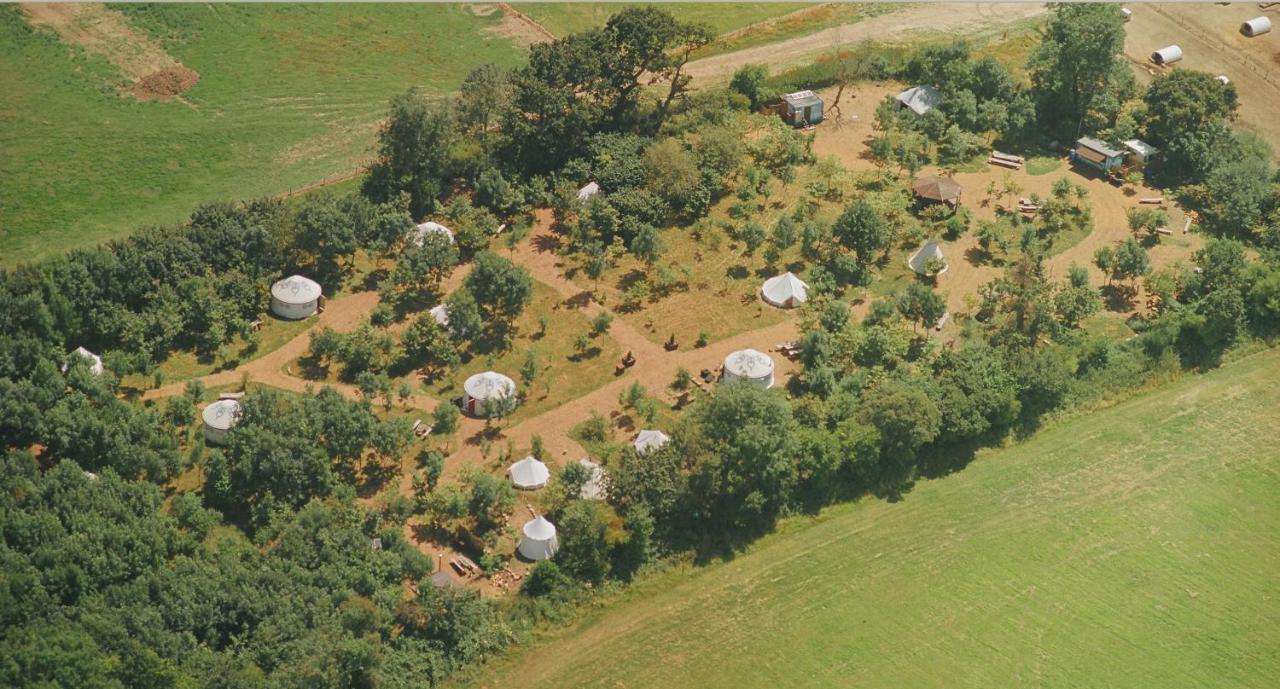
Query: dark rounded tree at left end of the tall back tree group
{"type": "Point", "coordinates": [413, 152]}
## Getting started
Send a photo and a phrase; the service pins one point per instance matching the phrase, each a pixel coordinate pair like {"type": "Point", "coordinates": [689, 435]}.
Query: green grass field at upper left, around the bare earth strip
{"type": "Point", "coordinates": [289, 95]}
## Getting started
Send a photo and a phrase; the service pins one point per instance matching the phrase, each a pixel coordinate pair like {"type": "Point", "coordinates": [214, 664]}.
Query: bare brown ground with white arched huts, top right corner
{"type": "Point", "coordinates": [1212, 42]}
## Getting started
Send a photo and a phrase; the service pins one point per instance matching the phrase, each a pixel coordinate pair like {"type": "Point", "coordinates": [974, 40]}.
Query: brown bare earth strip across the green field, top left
{"type": "Point", "coordinates": [154, 75]}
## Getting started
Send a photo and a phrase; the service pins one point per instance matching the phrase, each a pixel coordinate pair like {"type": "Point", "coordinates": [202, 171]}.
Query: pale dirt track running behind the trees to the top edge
{"type": "Point", "coordinates": [961, 19]}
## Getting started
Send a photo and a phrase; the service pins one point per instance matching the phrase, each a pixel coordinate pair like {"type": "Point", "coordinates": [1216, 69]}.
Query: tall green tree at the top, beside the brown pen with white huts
{"type": "Point", "coordinates": [1080, 65]}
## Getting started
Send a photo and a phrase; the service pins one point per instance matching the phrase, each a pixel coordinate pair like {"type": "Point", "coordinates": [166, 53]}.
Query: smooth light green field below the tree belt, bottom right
{"type": "Point", "coordinates": [1135, 547]}
